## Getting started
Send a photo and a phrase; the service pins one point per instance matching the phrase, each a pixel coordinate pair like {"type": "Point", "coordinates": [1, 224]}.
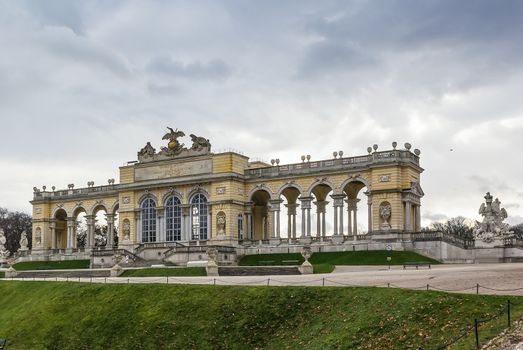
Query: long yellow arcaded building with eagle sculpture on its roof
{"type": "Point", "coordinates": [192, 196]}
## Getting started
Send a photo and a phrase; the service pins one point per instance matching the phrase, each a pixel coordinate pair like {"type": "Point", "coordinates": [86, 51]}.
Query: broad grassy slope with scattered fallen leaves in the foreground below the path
{"type": "Point", "coordinates": [49, 315]}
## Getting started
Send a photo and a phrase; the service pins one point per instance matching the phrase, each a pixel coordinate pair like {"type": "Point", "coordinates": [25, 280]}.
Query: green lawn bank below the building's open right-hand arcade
{"type": "Point", "coordinates": [325, 262]}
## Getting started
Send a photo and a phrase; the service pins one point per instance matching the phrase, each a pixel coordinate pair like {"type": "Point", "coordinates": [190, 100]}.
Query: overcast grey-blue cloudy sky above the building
{"type": "Point", "coordinates": [85, 84]}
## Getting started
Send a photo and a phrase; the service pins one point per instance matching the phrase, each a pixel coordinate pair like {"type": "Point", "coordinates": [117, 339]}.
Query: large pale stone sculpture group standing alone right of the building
{"type": "Point", "coordinates": [491, 231]}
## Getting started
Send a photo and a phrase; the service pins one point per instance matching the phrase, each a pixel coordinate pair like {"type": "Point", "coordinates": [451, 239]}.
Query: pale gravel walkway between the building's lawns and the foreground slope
{"type": "Point", "coordinates": [505, 279]}
